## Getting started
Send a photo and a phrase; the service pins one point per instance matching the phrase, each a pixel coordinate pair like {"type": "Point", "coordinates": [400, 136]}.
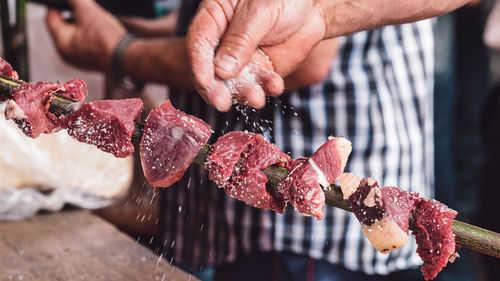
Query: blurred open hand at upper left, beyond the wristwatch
{"type": "Point", "coordinates": [90, 41]}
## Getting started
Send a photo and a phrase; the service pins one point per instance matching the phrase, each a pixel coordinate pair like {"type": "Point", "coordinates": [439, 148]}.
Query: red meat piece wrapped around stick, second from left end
{"type": "Point", "coordinates": [30, 105]}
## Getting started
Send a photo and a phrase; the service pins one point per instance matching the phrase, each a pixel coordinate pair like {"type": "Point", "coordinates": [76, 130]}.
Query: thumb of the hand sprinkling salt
{"type": "Point", "coordinates": [240, 41]}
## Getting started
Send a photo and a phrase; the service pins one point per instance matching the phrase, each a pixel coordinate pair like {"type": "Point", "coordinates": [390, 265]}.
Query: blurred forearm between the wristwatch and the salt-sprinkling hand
{"type": "Point", "coordinates": [158, 60]}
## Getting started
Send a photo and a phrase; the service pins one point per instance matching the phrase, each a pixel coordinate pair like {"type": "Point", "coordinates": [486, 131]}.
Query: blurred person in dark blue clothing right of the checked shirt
{"type": "Point", "coordinates": [461, 85]}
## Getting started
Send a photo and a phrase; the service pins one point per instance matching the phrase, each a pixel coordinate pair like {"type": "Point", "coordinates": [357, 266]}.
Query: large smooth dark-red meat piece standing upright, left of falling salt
{"type": "Point", "coordinates": [170, 142]}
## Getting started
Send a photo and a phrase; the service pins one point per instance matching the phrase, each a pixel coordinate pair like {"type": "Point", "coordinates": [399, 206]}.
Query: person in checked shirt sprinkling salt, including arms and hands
{"type": "Point", "coordinates": [377, 93]}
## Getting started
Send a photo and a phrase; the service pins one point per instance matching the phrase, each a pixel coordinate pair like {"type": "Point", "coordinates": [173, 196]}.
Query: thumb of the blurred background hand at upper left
{"type": "Point", "coordinates": [61, 31]}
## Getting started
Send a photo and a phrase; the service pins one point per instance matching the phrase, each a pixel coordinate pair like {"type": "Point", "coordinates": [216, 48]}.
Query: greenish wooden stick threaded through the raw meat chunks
{"type": "Point", "coordinates": [468, 236]}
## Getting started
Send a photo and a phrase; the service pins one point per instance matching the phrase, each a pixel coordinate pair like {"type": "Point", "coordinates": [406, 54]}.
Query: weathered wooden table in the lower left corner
{"type": "Point", "coordinates": [77, 245]}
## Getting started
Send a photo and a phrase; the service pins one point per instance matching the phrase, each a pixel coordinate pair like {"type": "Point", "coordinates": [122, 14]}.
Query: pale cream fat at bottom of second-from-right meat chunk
{"type": "Point", "coordinates": [385, 235]}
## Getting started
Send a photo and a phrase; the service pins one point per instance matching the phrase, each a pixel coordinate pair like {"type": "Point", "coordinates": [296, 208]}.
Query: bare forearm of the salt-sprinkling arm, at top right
{"type": "Point", "coordinates": [344, 17]}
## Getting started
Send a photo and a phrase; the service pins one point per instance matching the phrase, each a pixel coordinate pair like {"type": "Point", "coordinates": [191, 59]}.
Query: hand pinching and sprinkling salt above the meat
{"type": "Point", "coordinates": [286, 30]}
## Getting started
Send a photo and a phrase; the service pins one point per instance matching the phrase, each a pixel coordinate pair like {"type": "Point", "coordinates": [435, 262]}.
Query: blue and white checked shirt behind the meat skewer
{"type": "Point", "coordinates": [378, 95]}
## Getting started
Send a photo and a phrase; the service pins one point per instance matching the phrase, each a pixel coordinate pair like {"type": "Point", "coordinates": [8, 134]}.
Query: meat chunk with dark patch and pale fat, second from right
{"type": "Point", "coordinates": [383, 213]}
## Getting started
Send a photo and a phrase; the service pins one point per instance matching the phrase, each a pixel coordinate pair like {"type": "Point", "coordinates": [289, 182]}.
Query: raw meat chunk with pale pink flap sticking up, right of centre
{"type": "Point", "coordinates": [303, 186]}
